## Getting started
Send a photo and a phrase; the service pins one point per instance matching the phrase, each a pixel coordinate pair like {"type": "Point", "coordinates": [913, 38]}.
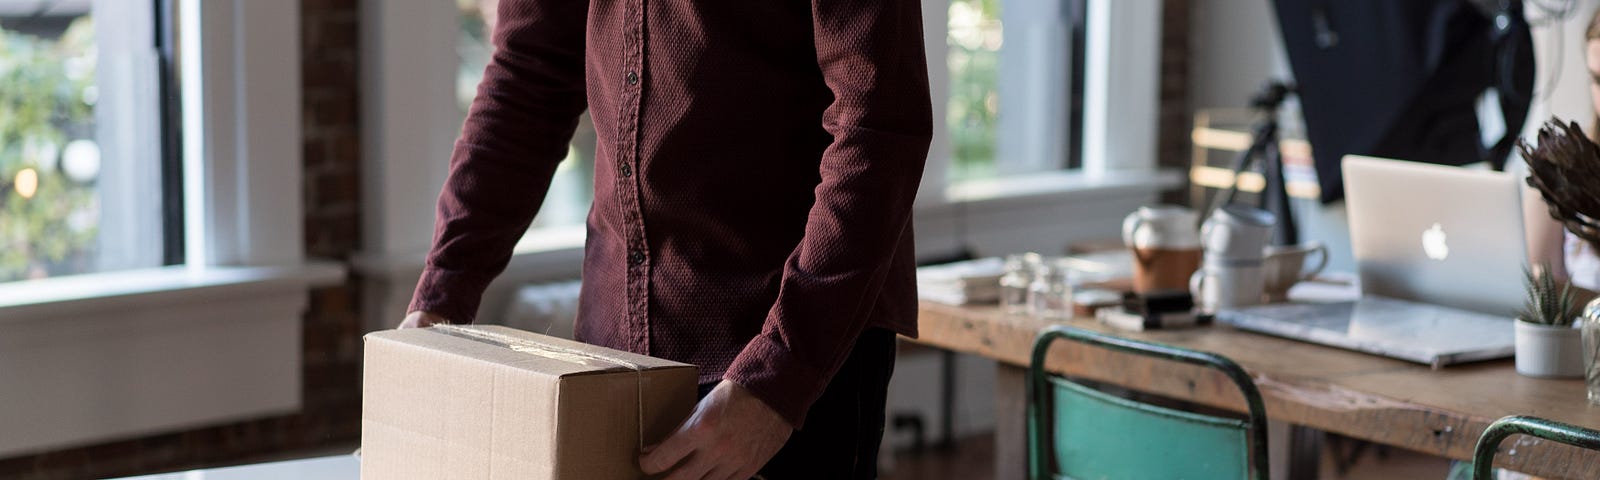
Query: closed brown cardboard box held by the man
{"type": "Point", "coordinates": [495, 402]}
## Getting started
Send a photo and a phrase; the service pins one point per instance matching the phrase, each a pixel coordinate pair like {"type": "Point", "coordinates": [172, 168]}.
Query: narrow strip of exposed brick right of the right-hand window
{"type": "Point", "coordinates": [1175, 122]}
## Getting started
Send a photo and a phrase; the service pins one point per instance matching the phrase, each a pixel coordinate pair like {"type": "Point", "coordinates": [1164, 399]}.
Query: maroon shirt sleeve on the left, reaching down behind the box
{"type": "Point", "coordinates": [516, 134]}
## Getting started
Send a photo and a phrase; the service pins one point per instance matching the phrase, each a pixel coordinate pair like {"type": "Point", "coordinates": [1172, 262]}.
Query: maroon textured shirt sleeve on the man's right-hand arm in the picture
{"type": "Point", "coordinates": [871, 55]}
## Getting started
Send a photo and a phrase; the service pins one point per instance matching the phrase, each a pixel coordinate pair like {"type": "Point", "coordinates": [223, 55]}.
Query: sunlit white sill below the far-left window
{"type": "Point", "coordinates": [78, 295]}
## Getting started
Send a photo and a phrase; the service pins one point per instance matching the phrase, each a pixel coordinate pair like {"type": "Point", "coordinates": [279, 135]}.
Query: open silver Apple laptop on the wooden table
{"type": "Point", "coordinates": [1441, 255]}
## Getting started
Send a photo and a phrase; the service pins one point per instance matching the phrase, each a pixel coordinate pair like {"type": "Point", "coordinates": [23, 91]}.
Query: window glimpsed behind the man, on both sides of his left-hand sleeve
{"type": "Point", "coordinates": [572, 190]}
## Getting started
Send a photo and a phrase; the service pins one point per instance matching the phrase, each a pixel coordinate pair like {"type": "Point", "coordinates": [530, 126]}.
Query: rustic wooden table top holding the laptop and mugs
{"type": "Point", "coordinates": [1385, 401]}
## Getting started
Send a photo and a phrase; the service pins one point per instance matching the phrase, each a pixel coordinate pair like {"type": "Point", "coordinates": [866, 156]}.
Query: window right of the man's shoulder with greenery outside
{"type": "Point", "coordinates": [1017, 87]}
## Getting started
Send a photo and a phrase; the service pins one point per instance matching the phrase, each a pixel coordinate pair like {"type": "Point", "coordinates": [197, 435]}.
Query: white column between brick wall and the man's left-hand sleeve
{"type": "Point", "coordinates": [410, 121]}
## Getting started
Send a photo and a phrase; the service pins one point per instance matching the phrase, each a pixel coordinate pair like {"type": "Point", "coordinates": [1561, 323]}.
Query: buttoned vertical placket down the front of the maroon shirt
{"type": "Point", "coordinates": [628, 177]}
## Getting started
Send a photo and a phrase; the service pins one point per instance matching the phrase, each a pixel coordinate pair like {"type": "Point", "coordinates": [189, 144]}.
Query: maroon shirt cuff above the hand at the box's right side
{"type": "Point", "coordinates": [769, 370]}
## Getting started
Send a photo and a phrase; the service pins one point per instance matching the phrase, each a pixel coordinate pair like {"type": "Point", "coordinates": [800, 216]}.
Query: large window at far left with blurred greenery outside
{"type": "Point", "coordinates": [87, 182]}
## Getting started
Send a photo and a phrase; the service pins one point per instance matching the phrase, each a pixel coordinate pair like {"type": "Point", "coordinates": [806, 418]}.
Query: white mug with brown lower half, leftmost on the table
{"type": "Point", "coordinates": [1166, 247]}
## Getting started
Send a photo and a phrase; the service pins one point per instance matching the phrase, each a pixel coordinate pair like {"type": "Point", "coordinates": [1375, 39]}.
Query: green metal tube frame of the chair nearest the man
{"type": "Point", "coordinates": [1039, 391]}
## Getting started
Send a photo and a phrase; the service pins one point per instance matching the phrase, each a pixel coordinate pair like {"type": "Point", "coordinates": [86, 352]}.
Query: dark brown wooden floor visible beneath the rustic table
{"type": "Point", "coordinates": [974, 460]}
